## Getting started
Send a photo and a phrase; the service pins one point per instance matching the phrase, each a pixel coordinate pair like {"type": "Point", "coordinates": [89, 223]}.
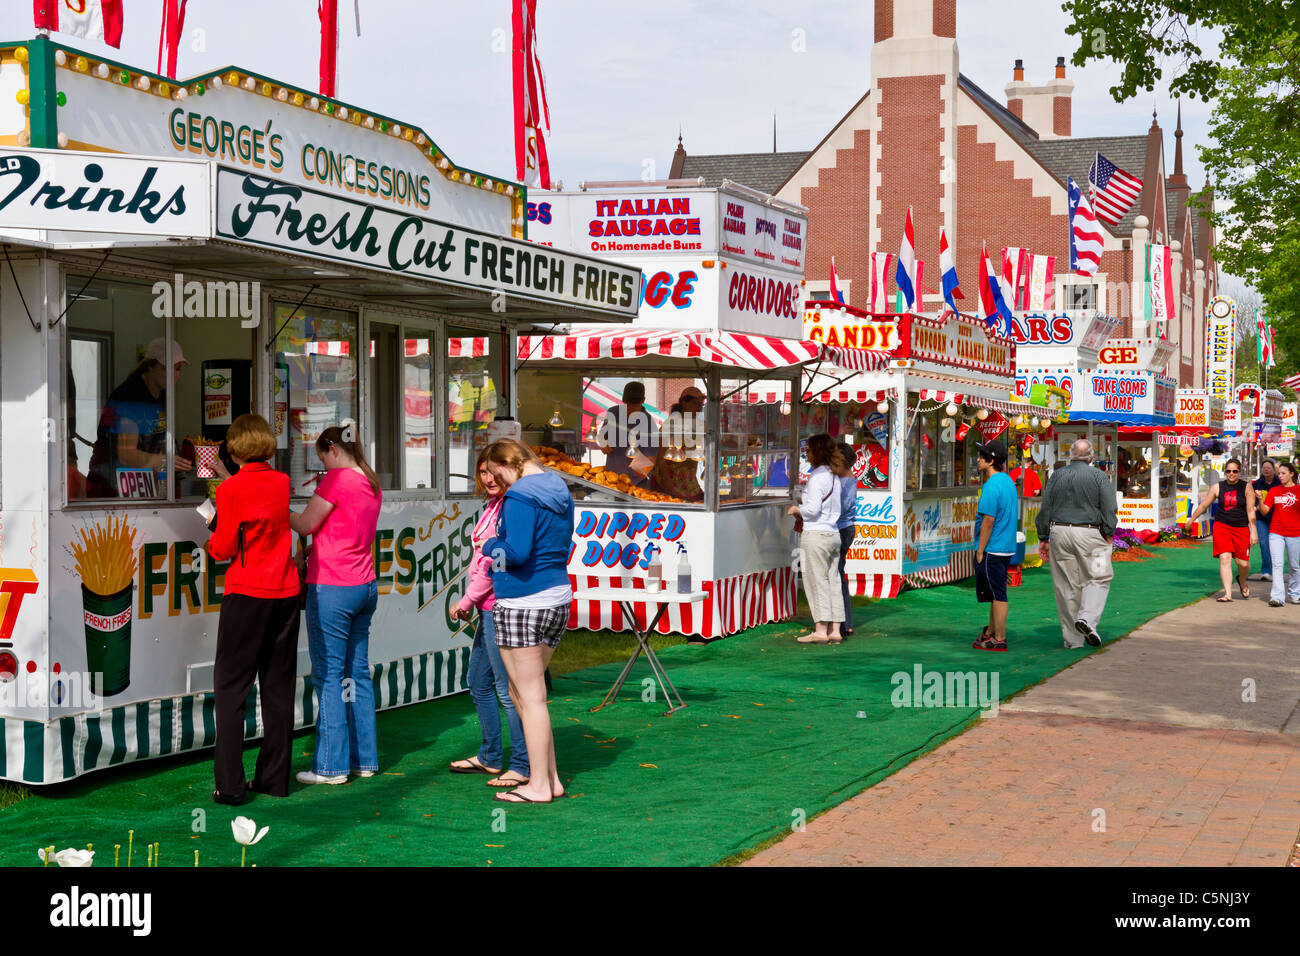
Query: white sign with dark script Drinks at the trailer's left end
{"type": "Point", "coordinates": [81, 192]}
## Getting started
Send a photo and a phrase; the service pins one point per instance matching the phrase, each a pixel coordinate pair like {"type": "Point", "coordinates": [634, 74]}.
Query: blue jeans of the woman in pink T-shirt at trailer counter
{"type": "Point", "coordinates": [339, 639]}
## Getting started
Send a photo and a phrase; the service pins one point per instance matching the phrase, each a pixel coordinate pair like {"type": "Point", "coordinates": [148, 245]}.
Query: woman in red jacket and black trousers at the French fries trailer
{"type": "Point", "coordinates": [258, 630]}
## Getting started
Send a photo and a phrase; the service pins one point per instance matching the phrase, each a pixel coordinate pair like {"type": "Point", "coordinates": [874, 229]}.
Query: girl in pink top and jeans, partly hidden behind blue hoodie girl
{"type": "Point", "coordinates": [488, 678]}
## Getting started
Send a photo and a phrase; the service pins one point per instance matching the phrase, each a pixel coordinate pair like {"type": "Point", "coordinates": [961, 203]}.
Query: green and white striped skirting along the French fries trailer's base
{"type": "Point", "coordinates": [37, 752]}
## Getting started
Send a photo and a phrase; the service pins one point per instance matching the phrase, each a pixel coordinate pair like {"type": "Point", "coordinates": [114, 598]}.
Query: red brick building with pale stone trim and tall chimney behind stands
{"type": "Point", "coordinates": [928, 137]}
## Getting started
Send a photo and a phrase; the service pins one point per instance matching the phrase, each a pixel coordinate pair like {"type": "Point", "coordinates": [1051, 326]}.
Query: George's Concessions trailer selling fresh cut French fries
{"type": "Point", "coordinates": [270, 252]}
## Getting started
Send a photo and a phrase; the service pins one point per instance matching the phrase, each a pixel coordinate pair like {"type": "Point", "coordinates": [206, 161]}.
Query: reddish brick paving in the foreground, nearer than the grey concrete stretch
{"type": "Point", "coordinates": [1026, 789]}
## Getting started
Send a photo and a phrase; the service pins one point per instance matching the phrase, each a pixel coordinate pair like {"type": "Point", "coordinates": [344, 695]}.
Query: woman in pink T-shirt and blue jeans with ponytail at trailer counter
{"type": "Point", "coordinates": [343, 595]}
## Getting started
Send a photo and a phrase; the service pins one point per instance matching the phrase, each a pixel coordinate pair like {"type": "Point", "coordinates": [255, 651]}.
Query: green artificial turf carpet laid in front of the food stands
{"type": "Point", "coordinates": [774, 733]}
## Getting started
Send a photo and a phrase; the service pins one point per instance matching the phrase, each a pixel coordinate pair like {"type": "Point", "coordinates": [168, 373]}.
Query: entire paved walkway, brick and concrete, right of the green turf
{"type": "Point", "coordinates": [1180, 745]}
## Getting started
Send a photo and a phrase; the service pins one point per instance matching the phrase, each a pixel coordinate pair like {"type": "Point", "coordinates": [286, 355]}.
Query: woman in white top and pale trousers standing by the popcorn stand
{"type": "Point", "coordinates": [820, 544]}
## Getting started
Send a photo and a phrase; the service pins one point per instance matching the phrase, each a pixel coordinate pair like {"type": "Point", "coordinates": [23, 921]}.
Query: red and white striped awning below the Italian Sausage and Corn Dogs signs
{"type": "Point", "coordinates": [731, 349]}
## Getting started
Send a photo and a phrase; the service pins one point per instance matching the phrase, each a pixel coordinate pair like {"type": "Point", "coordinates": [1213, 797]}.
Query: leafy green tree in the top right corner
{"type": "Point", "coordinates": [1254, 159]}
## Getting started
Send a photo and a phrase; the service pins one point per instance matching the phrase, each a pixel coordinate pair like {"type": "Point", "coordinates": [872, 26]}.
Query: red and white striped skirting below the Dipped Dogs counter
{"type": "Point", "coordinates": [734, 605]}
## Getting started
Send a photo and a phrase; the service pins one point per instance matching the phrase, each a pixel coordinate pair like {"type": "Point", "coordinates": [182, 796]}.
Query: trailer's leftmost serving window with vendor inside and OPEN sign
{"type": "Point", "coordinates": [119, 375]}
